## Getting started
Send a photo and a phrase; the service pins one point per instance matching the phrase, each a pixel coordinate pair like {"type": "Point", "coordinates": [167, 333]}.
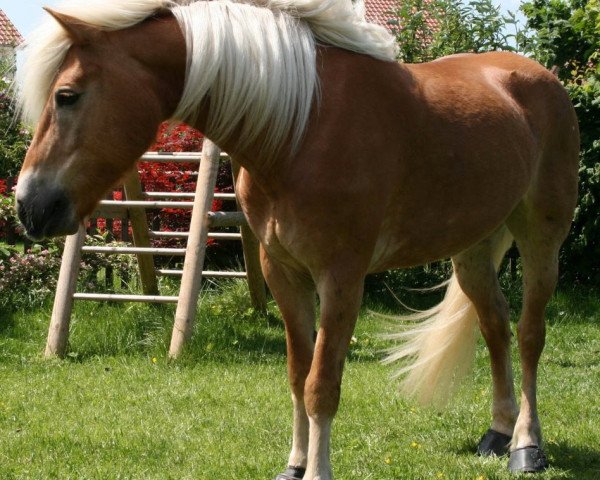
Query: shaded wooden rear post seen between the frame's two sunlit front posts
{"type": "Point", "coordinates": [141, 237]}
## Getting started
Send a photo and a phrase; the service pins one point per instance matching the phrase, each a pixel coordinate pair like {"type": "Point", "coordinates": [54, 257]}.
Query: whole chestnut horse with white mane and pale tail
{"type": "Point", "coordinates": [352, 163]}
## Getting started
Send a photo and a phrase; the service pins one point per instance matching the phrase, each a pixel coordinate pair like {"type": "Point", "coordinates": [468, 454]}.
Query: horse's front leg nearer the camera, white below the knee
{"type": "Point", "coordinates": [340, 301]}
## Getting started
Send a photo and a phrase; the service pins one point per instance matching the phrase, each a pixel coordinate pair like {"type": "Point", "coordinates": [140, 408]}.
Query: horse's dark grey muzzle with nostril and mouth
{"type": "Point", "coordinates": [45, 211]}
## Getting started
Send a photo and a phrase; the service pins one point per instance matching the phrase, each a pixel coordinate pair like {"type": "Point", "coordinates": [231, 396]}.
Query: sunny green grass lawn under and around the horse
{"type": "Point", "coordinates": [116, 409]}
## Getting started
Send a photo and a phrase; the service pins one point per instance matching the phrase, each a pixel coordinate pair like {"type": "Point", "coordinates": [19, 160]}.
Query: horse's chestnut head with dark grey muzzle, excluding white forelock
{"type": "Point", "coordinates": [102, 112]}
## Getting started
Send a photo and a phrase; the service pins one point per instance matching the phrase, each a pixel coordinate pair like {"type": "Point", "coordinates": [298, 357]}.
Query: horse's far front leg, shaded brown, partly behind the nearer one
{"type": "Point", "coordinates": [294, 293]}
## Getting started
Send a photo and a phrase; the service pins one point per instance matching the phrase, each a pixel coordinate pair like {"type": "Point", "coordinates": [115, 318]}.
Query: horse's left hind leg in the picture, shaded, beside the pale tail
{"type": "Point", "coordinates": [476, 271]}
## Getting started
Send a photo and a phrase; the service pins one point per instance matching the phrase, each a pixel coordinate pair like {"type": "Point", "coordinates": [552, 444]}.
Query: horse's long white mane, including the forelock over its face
{"type": "Point", "coordinates": [255, 60]}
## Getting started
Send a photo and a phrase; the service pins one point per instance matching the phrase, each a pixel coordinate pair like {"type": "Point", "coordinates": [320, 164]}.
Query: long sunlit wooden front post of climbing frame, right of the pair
{"type": "Point", "coordinates": [196, 248]}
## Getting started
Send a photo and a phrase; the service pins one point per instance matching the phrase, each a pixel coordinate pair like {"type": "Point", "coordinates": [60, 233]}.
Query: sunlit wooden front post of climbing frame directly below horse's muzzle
{"type": "Point", "coordinates": [58, 333]}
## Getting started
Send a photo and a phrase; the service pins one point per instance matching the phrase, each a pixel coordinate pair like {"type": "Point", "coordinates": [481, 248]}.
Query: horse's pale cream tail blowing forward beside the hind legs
{"type": "Point", "coordinates": [439, 350]}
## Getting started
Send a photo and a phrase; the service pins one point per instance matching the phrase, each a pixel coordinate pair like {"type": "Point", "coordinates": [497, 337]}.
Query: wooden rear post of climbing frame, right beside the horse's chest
{"type": "Point", "coordinates": [251, 248]}
